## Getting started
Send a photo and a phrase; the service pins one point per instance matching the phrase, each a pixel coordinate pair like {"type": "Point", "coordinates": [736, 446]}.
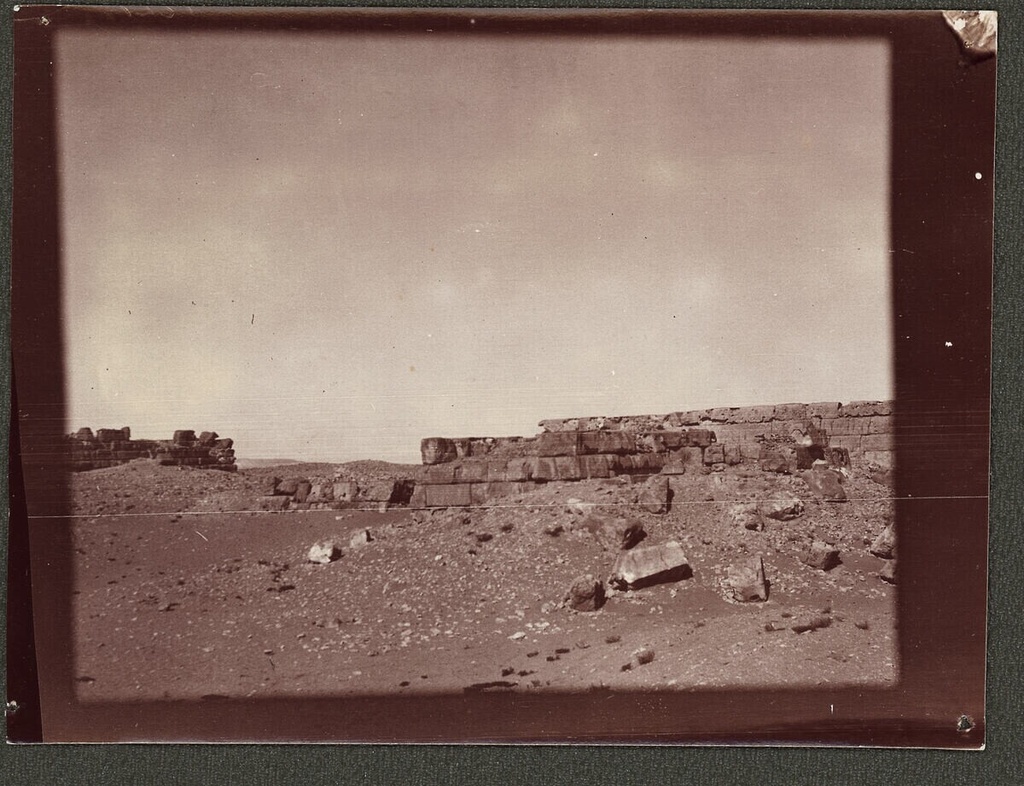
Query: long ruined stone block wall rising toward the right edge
{"type": "Point", "coordinates": [781, 439]}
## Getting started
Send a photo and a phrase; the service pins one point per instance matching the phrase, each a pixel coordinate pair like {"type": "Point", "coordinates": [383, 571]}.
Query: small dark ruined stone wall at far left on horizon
{"type": "Point", "coordinates": [109, 448]}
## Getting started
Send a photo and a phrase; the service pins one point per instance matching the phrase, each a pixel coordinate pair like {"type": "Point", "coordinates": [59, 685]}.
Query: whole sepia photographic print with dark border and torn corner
{"type": "Point", "coordinates": [486, 375]}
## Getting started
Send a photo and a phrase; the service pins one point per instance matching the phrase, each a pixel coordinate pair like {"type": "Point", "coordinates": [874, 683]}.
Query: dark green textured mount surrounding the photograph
{"type": "Point", "coordinates": [320, 765]}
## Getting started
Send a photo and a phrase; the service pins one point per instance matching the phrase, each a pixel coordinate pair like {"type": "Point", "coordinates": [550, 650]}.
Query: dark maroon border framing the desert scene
{"type": "Point", "coordinates": [942, 215]}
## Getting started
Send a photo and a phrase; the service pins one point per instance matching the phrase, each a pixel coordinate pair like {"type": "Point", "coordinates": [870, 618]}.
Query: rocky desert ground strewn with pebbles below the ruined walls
{"type": "Point", "coordinates": [185, 589]}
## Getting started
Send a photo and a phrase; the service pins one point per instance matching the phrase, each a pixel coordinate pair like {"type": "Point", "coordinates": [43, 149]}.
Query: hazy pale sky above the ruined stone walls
{"type": "Point", "coordinates": [331, 246]}
